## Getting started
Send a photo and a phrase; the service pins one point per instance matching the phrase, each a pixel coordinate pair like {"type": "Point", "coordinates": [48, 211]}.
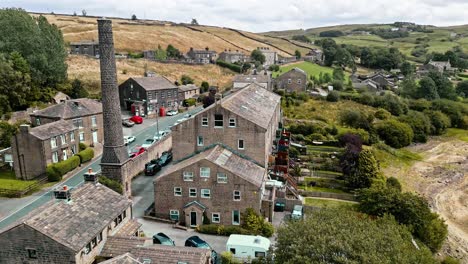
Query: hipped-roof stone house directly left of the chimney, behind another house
{"type": "Point", "coordinates": [85, 114]}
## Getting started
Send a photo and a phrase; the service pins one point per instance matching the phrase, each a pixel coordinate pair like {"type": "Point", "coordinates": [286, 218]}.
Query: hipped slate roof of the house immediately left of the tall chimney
{"type": "Point", "coordinates": [71, 109]}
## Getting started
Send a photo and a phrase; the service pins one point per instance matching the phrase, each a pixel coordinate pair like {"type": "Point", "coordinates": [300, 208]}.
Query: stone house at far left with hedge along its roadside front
{"type": "Point", "coordinates": [35, 148]}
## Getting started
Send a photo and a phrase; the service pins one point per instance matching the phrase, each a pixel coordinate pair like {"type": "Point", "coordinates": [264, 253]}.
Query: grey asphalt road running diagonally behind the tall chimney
{"type": "Point", "coordinates": [23, 206]}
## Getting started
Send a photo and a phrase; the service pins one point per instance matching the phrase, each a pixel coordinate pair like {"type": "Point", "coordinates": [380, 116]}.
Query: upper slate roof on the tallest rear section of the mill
{"type": "Point", "coordinates": [253, 103]}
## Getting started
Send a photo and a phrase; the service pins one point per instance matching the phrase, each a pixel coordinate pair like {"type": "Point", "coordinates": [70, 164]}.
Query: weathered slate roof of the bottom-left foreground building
{"type": "Point", "coordinates": [76, 223]}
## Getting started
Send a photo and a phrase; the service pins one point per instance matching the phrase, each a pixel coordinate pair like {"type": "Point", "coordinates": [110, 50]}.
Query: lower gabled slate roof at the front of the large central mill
{"type": "Point", "coordinates": [225, 159]}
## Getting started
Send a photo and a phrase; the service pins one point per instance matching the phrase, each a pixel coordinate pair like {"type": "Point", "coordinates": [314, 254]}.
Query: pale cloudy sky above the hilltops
{"type": "Point", "coordinates": [264, 15]}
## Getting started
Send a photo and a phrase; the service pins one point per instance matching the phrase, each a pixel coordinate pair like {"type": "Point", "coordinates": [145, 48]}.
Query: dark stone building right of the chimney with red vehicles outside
{"type": "Point", "coordinates": [145, 95]}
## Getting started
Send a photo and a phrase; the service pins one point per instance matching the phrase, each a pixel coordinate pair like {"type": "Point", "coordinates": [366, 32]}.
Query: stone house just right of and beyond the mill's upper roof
{"type": "Point", "coordinates": [295, 80]}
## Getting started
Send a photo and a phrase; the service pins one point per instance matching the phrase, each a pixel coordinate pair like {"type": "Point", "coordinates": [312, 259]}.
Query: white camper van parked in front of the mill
{"type": "Point", "coordinates": [246, 248]}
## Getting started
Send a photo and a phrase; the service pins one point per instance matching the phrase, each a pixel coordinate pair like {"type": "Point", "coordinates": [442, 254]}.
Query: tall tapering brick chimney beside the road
{"type": "Point", "coordinates": [114, 154]}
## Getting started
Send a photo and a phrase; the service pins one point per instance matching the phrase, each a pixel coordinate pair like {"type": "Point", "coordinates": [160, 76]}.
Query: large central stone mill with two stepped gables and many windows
{"type": "Point", "coordinates": [222, 156]}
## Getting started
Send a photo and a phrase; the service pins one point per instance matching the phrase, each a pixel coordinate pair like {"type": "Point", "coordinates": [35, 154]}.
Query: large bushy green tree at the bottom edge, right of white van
{"type": "Point", "coordinates": [340, 236]}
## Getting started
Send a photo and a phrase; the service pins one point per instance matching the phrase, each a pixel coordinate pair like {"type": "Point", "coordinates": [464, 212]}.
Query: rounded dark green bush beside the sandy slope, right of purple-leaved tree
{"type": "Point", "coordinates": [394, 133]}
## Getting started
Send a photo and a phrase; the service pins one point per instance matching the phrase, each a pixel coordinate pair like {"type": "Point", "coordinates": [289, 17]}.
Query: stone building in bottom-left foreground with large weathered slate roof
{"type": "Point", "coordinates": [72, 228]}
